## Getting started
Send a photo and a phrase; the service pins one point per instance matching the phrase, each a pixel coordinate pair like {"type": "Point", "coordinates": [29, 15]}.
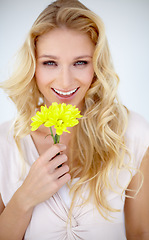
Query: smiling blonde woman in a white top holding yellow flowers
{"type": "Point", "coordinates": [104, 160]}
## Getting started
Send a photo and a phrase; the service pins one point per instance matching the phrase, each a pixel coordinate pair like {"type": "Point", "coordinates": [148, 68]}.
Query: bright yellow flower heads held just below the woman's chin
{"type": "Point", "coordinates": [60, 116]}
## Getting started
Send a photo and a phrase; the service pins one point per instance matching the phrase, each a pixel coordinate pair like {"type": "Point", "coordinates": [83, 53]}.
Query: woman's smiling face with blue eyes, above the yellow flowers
{"type": "Point", "coordinates": [64, 68]}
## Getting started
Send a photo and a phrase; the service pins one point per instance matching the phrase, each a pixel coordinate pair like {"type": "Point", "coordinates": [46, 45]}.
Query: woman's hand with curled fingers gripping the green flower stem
{"type": "Point", "coordinates": [45, 177]}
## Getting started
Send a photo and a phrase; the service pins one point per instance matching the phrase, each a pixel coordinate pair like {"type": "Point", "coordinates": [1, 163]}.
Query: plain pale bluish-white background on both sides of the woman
{"type": "Point", "coordinates": [127, 28]}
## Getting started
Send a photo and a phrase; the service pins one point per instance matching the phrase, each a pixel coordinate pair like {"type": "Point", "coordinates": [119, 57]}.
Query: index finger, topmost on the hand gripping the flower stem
{"type": "Point", "coordinates": [52, 152]}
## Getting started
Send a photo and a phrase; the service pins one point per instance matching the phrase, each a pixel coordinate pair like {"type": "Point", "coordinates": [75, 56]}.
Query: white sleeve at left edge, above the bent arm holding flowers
{"type": "Point", "coordinates": [10, 164]}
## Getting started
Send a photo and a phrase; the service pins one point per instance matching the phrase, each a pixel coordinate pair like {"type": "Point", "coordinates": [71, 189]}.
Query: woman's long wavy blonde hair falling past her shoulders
{"type": "Point", "coordinates": [99, 137]}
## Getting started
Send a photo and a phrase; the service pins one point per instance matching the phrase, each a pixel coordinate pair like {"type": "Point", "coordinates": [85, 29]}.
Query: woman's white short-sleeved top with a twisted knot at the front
{"type": "Point", "coordinates": [49, 219]}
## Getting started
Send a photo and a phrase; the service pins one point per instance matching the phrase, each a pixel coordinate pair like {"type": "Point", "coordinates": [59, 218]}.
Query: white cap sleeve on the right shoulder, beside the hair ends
{"type": "Point", "coordinates": [137, 138]}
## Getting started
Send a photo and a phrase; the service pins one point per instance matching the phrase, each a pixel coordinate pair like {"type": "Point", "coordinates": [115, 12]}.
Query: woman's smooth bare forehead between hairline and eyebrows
{"type": "Point", "coordinates": [62, 40]}
